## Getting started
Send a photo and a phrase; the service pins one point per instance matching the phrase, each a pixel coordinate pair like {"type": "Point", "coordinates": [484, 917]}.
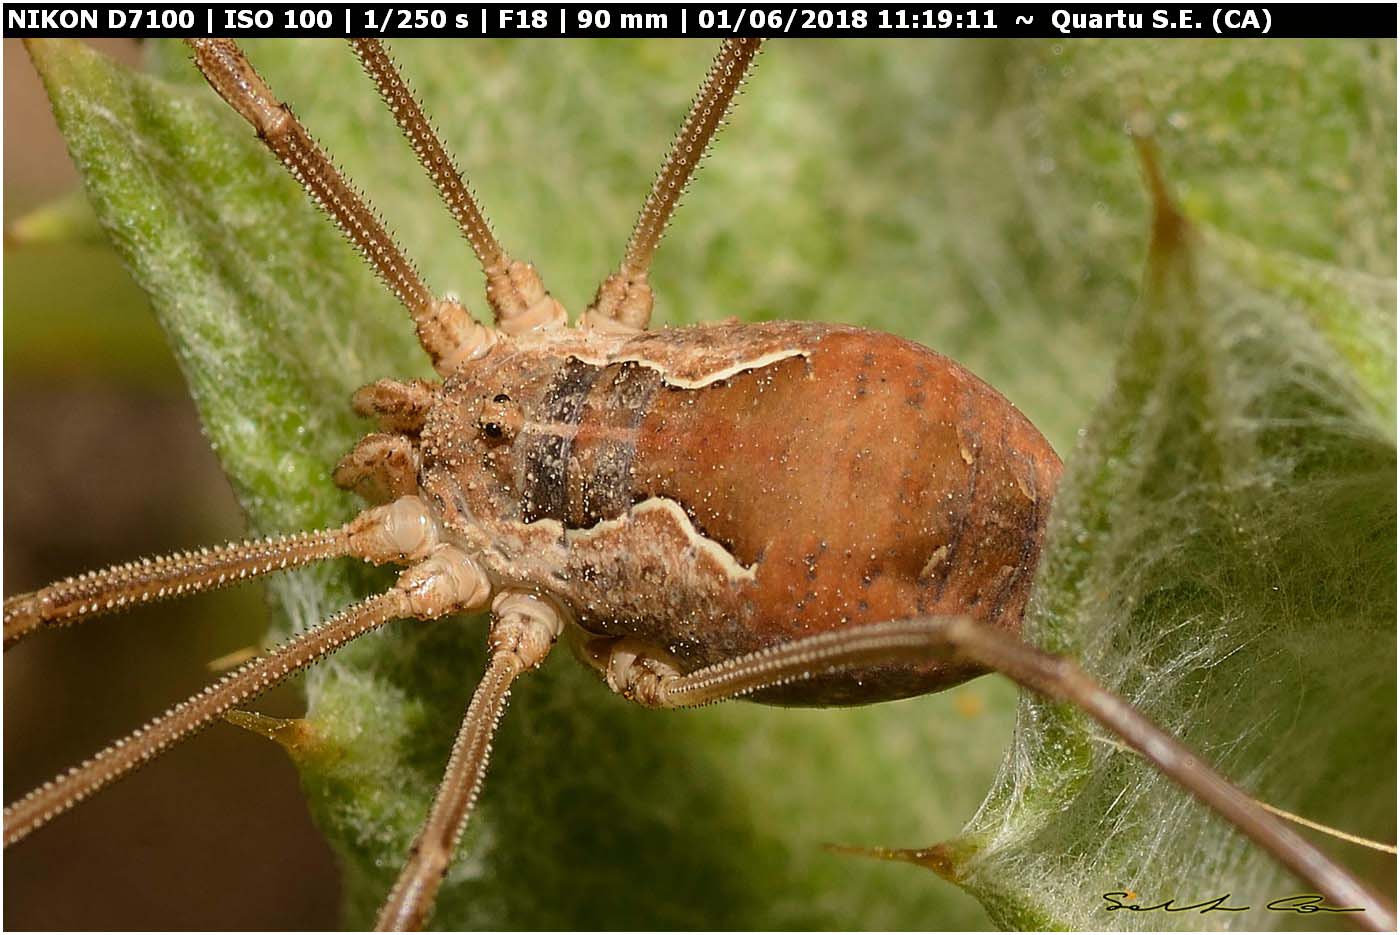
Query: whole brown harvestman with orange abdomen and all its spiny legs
{"type": "Point", "coordinates": [801, 514]}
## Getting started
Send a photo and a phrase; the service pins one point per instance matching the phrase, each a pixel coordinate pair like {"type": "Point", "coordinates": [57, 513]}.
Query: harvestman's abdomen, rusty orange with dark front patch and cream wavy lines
{"type": "Point", "coordinates": [726, 489]}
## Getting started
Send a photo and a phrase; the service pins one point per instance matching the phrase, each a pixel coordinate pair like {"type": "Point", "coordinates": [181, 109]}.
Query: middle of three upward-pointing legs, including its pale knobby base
{"type": "Point", "coordinates": [514, 289]}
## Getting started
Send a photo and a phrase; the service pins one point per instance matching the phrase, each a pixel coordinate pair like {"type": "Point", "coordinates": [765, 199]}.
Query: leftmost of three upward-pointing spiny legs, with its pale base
{"type": "Point", "coordinates": [447, 331]}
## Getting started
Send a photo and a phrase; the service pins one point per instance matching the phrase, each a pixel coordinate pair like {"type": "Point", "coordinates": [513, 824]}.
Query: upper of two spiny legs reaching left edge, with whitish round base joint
{"type": "Point", "coordinates": [401, 531]}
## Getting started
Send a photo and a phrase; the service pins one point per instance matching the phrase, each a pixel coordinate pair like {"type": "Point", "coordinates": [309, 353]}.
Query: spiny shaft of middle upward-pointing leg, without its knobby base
{"type": "Point", "coordinates": [432, 155]}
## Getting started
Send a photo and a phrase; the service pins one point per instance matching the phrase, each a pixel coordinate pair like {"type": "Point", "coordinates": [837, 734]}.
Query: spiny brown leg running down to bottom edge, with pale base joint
{"type": "Point", "coordinates": [523, 632]}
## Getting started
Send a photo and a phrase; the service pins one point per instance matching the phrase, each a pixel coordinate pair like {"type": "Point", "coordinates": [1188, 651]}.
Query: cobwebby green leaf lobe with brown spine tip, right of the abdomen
{"type": "Point", "coordinates": [1221, 556]}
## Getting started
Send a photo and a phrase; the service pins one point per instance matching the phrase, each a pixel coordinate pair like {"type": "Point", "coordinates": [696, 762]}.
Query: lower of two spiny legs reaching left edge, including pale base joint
{"type": "Point", "coordinates": [446, 583]}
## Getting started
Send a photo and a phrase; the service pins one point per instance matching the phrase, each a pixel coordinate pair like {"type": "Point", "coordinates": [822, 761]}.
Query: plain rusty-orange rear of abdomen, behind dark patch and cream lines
{"type": "Point", "coordinates": [870, 479]}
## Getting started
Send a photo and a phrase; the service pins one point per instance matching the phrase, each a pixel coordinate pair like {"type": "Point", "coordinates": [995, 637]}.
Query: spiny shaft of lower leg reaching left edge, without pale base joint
{"type": "Point", "coordinates": [187, 719]}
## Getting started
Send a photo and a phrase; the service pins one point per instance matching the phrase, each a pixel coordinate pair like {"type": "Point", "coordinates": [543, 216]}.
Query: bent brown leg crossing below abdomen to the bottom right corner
{"type": "Point", "coordinates": [654, 684]}
